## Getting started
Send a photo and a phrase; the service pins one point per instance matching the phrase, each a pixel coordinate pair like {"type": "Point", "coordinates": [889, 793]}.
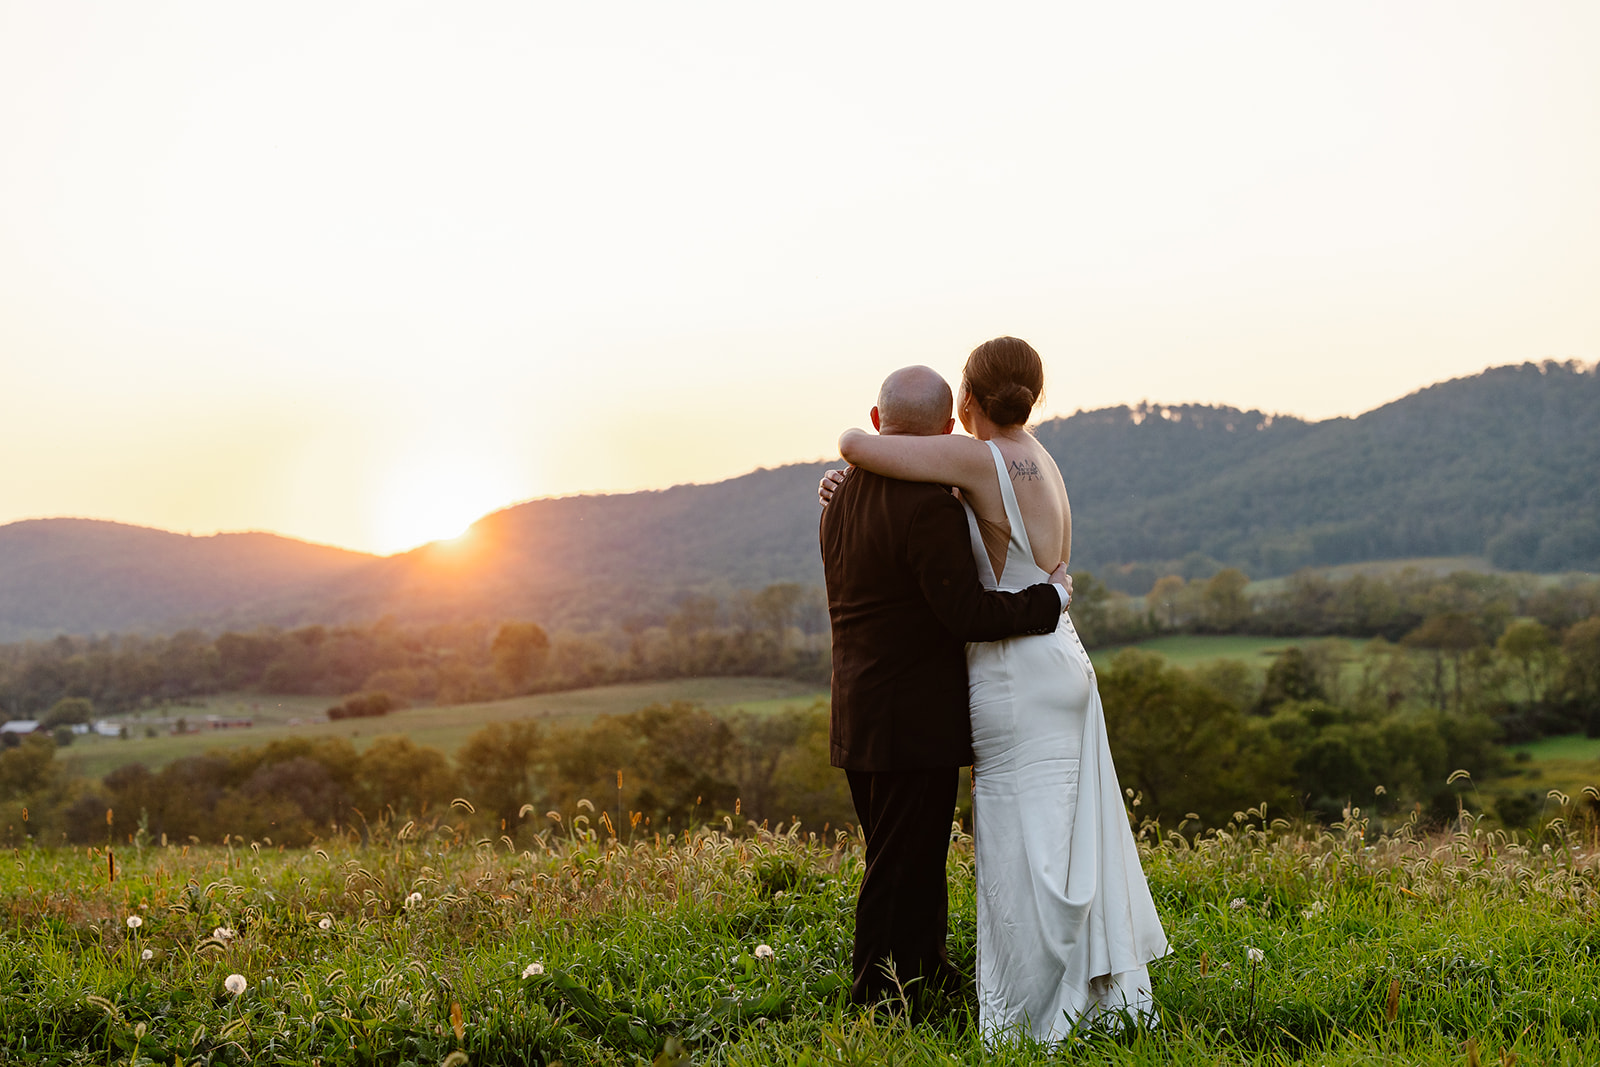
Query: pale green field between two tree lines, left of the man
{"type": "Point", "coordinates": [446, 727]}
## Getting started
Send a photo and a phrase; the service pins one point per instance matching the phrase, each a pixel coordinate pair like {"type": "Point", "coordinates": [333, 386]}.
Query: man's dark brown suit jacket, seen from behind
{"type": "Point", "coordinates": [905, 599]}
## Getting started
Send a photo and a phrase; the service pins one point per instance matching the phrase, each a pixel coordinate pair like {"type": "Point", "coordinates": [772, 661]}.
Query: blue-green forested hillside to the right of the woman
{"type": "Point", "coordinates": [1502, 465]}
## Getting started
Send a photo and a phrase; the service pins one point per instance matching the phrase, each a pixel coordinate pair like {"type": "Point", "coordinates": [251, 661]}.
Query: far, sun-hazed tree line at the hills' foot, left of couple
{"type": "Point", "coordinates": [778, 631]}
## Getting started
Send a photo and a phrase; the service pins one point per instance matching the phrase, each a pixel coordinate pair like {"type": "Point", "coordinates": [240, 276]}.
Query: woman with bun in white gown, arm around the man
{"type": "Point", "coordinates": [1066, 924]}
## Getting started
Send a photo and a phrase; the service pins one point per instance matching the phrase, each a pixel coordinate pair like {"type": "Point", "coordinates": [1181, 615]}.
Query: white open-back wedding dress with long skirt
{"type": "Point", "coordinates": [1066, 924]}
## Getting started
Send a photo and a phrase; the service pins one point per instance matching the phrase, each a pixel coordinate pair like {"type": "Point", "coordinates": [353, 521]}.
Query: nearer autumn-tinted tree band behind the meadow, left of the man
{"type": "Point", "coordinates": [658, 770]}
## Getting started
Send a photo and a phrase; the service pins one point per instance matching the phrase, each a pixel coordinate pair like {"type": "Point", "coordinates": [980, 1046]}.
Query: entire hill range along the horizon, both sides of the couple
{"type": "Point", "coordinates": [1500, 465]}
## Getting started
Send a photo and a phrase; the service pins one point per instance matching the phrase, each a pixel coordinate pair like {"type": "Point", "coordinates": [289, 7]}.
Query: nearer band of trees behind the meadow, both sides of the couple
{"type": "Point", "coordinates": [1330, 724]}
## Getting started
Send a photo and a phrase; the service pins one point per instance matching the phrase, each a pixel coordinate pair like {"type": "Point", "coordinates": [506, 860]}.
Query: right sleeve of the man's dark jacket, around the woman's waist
{"type": "Point", "coordinates": [938, 548]}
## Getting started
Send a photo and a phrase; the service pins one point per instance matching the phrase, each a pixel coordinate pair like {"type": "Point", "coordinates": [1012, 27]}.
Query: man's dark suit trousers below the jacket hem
{"type": "Point", "coordinates": [903, 911]}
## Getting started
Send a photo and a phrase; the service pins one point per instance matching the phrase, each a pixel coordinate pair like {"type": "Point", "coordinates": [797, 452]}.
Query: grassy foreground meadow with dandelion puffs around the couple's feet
{"type": "Point", "coordinates": [1457, 949]}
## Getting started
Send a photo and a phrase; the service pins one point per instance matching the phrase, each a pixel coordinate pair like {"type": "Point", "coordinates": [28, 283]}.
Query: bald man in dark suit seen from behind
{"type": "Point", "coordinates": [905, 599]}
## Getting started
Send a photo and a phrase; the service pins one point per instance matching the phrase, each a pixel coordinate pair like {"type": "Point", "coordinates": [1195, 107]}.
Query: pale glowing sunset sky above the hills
{"type": "Point", "coordinates": [359, 274]}
